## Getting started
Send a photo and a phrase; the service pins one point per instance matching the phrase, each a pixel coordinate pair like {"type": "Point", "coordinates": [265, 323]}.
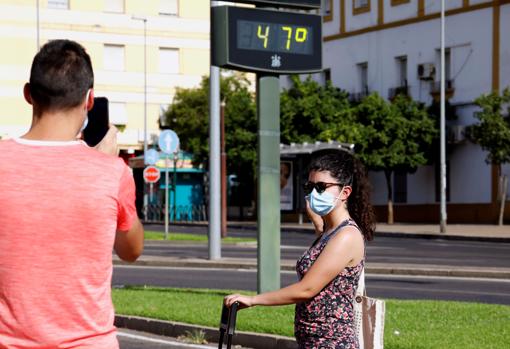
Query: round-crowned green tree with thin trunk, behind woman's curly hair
{"type": "Point", "coordinates": [395, 136]}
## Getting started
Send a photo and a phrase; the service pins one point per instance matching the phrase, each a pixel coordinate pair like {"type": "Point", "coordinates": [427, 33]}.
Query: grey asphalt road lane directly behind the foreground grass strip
{"type": "Point", "coordinates": [383, 286]}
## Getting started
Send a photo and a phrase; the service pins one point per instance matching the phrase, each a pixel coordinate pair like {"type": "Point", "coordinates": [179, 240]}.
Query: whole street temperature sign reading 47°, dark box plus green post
{"type": "Point", "coordinates": [269, 43]}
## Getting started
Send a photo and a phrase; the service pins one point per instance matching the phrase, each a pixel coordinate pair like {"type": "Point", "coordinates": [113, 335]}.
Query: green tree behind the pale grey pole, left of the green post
{"type": "Point", "coordinates": [188, 116]}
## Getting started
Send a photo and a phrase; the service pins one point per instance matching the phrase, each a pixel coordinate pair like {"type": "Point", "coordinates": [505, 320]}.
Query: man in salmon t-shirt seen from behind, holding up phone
{"type": "Point", "coordinates": [63, 207]}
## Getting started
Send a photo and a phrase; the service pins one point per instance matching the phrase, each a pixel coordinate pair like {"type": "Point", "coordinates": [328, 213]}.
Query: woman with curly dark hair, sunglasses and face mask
{"type": "Point", "coordinates": [338, 204]}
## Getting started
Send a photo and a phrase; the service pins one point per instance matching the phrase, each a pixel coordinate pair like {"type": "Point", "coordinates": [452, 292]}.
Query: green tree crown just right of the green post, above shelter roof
{"type": "Point", "coordinates": [312, 112]}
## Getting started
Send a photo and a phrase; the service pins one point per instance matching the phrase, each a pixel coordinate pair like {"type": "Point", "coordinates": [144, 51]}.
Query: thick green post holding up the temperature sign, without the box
{"type": "Point", "coordinates": [268, 201]}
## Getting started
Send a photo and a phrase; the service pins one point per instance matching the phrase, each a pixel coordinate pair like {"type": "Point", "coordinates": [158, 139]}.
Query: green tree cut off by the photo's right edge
{"type": "Point", "coordinates": [492, 133]}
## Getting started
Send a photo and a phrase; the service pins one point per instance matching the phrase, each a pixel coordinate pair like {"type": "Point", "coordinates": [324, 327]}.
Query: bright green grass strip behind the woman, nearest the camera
{"type": "Point", "coordinates": [408, 325]}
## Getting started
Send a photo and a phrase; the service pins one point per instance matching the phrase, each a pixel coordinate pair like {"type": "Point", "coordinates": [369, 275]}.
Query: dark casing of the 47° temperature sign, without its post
{"type": "Point", "coordinates": [267, 40]}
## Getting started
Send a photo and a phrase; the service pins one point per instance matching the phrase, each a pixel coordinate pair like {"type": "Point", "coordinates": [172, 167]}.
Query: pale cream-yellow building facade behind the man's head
{"type": "Point", "coordinates": [176, 43]}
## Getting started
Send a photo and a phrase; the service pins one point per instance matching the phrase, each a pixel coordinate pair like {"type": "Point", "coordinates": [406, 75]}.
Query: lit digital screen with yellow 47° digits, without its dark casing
{"type": "Point", "coordinates": [274, 37]}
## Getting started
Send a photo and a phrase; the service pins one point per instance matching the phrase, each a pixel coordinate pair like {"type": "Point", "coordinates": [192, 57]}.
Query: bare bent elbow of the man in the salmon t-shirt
{"type": "Point", "coordinates": [129, 245]}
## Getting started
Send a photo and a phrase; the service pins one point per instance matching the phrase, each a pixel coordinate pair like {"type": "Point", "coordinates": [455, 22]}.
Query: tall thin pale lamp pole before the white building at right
{"type": "Point", "coordinates": [442, 124]}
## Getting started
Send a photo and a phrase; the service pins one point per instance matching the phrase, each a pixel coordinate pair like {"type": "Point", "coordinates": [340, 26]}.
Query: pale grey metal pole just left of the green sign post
{"type": "Point", "coordinates": [214, 160]}
